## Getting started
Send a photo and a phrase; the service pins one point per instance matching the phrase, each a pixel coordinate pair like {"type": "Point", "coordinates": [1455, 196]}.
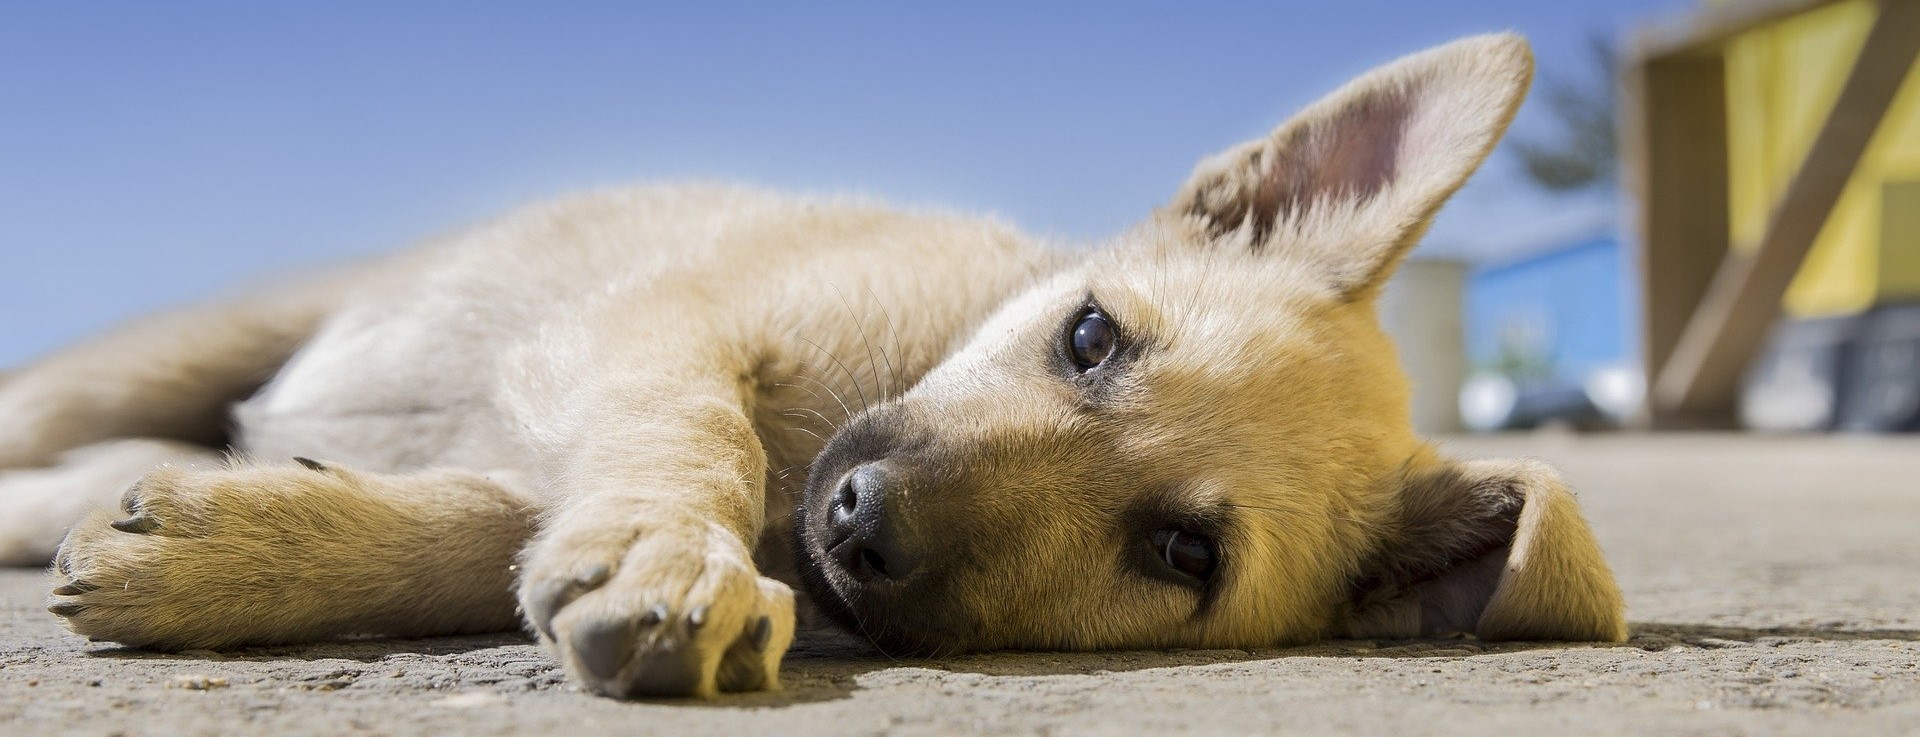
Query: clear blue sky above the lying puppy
{"type": "Point", "coordinates": [158, 153]}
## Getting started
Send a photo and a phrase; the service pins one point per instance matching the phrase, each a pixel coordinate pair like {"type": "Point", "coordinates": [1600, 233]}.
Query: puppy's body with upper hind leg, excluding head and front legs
{"type": "Point", "coordinates": [448, 356]}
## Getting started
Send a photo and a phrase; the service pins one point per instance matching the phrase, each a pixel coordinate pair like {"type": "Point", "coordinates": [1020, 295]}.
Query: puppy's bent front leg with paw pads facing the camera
{"type": "Point", "coordinates": [642, 577]}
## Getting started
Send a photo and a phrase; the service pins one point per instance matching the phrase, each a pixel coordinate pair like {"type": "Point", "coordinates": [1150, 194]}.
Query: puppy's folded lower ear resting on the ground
{"type": "Point", "coordinates": [1497, 550]}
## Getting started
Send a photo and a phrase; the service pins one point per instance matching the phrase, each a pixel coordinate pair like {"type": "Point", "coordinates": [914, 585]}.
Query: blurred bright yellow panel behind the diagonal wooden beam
{"type": "Point", "coordinates": [1781, 85]}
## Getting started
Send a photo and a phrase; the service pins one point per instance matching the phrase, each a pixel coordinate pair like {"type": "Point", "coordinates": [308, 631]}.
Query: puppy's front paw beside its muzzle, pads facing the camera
{"type": "Point", "coordinates": [658, 611]}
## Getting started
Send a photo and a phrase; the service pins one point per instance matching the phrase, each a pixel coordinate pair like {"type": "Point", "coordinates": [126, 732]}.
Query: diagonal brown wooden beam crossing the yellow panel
{"type": "Point", "coordinates": [1742, 304]}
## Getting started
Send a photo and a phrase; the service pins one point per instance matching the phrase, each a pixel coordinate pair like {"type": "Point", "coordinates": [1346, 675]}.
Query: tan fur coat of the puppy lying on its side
{"type": "Point", "coordinates": [640, 389]}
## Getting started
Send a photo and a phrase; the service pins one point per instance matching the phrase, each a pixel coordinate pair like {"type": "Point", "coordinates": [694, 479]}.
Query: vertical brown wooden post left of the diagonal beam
{"type": "Point", "coordinates": [1673, 139]}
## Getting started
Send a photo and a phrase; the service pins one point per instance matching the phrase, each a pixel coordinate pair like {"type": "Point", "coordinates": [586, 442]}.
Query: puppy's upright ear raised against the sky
{"type": "Point", "coordinates": [1353, 181]}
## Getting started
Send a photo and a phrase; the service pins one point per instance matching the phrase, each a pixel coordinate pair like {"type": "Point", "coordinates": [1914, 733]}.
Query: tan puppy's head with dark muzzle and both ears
{"type": "Point", "coordinates": [1199, 437]}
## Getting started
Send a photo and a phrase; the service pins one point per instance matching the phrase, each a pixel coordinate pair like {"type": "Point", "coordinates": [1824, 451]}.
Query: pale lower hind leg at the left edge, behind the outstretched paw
{"type": "Point", "coordinates": [39, 504]}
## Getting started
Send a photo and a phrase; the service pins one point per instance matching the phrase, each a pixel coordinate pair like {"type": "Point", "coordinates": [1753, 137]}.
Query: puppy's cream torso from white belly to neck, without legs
{"type": "Point", "coordinates": [452, 366]}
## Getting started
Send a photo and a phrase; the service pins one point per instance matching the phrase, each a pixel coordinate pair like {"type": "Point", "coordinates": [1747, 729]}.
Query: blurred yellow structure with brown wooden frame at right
{"type": "Point", "coordinates": [1775, 147]}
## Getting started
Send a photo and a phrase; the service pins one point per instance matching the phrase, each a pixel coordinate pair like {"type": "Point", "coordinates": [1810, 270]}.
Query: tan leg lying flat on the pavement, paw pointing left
{"type": "Point", "coordinates": [254, 556]}
